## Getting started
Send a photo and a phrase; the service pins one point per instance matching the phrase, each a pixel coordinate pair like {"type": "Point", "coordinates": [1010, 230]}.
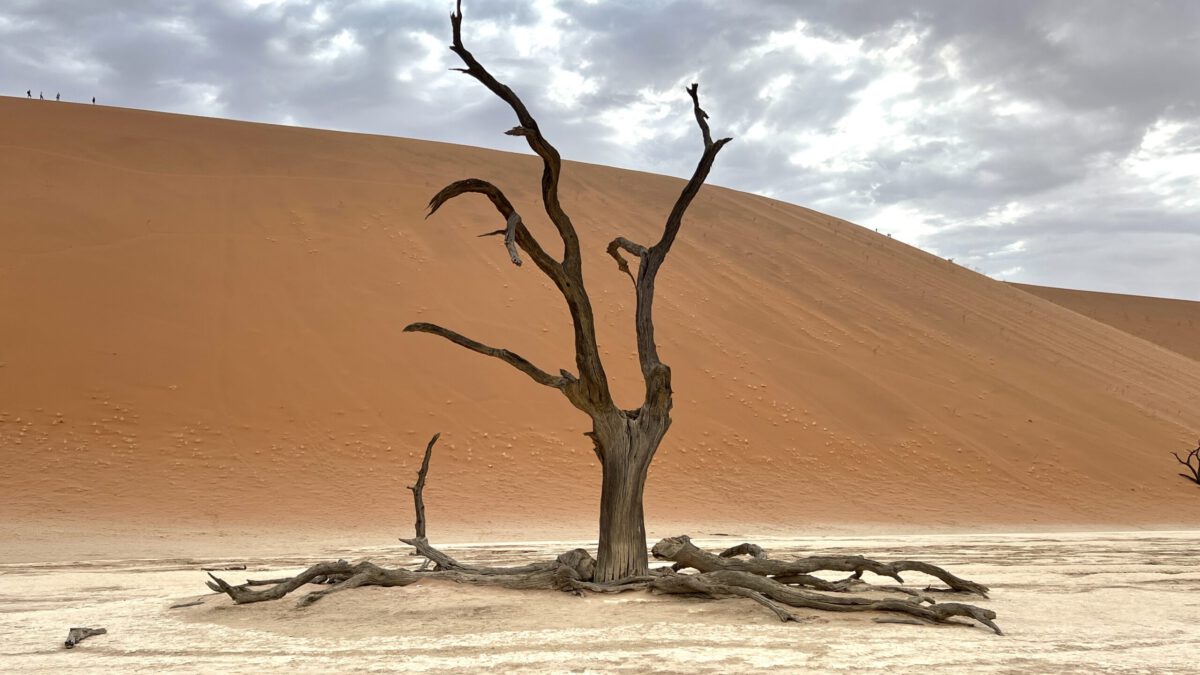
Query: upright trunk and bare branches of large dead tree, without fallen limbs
{"type": "Point", "coordinates": [623, 440]}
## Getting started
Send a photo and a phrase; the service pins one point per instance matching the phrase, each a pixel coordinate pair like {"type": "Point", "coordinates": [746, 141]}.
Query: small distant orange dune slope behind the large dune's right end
{"type": "Point", "coordinates": [1169, 324]}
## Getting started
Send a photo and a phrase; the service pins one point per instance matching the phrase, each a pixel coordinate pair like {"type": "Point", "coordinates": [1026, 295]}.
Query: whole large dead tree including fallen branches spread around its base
{"type": "Point", "coordinates": [626, 443]}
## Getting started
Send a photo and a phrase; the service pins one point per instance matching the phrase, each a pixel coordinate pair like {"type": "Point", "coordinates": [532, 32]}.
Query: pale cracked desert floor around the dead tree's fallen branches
{"type": "Point", "coordinates": [1112, 602]}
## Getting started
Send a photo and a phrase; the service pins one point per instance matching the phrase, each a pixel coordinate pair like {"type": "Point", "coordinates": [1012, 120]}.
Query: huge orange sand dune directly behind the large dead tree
{"type": "Point", "coordinates": [201, 326]}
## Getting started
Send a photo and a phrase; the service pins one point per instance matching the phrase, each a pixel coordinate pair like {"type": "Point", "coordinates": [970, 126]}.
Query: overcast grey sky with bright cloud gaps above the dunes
{"type": "Point", "coordinates": [1043, 142]}
